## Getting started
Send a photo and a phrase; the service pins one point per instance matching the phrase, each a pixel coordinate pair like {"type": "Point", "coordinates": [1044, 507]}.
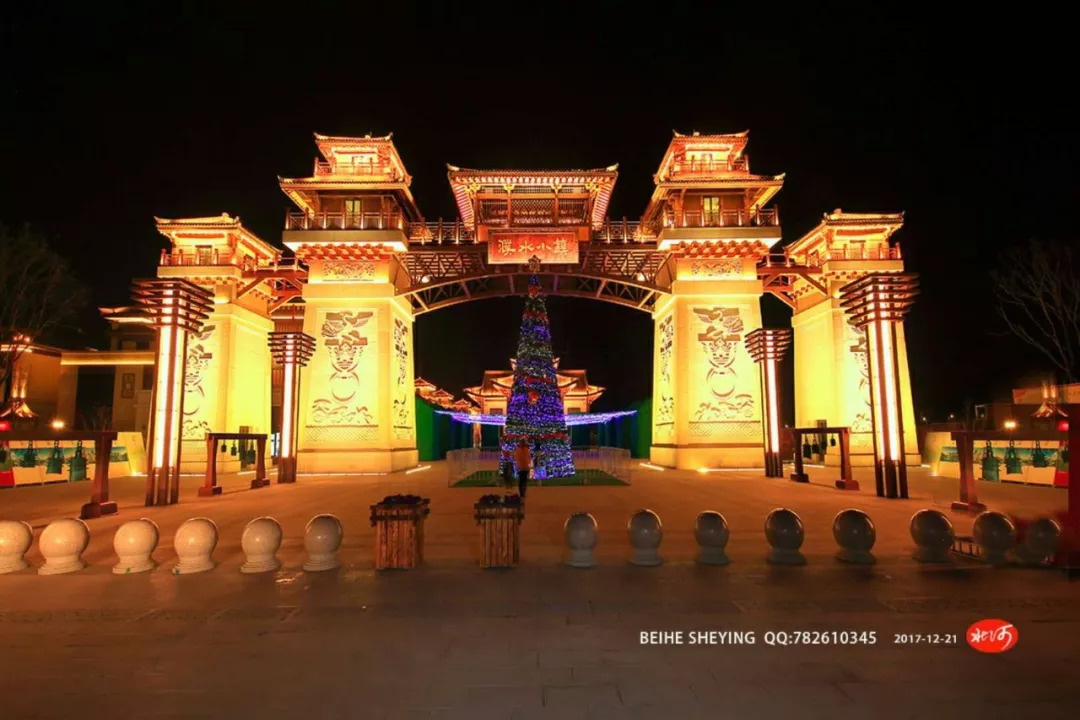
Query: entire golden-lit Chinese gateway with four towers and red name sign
{"type": "Point", "coordinates": [363, 263]}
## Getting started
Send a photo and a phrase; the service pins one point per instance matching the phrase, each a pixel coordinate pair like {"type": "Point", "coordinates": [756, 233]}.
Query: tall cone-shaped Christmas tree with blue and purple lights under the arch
{"type": "Point", "coordinates": [536, 406]}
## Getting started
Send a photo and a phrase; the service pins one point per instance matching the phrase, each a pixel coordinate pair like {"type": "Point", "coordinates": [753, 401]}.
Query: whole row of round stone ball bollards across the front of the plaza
{"type": "Point", "coordinates": [63, 542]}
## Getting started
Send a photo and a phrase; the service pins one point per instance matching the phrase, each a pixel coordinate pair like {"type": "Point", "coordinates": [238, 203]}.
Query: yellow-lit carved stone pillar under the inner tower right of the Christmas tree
{"type": "Point", "coordinates": [707, 395]}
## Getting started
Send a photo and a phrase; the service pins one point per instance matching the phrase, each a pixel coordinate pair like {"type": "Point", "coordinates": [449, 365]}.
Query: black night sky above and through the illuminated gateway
{"type": "Point", "coordinates": [113, 117]}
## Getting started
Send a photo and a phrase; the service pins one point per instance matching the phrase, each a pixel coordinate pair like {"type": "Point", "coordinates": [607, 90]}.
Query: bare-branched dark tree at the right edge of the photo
{"type": "Point", "coordinates": [1038, 297]}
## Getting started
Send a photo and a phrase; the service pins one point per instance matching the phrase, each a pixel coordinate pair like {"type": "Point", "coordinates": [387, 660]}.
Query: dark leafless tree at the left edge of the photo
{"type": "Point", "coordinates": [39, 294]}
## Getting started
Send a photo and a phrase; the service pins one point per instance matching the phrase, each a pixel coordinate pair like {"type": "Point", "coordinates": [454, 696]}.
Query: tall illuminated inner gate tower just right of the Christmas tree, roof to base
{"type": "Point", "coordinates": [711, 213]}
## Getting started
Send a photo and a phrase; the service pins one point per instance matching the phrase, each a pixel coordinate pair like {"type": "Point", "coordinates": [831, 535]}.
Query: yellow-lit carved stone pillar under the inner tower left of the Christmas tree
{"type": "Point", "coordinates": [357, 409]}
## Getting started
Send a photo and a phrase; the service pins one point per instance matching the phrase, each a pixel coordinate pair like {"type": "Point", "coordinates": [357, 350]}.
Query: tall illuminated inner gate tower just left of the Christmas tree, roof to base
{"type": "Point", "coordinates": [357, 410]}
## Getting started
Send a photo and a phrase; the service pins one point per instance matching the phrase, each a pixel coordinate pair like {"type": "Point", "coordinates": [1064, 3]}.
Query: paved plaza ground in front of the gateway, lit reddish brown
{"type": "Point", "coordinates": [543, 641]}
